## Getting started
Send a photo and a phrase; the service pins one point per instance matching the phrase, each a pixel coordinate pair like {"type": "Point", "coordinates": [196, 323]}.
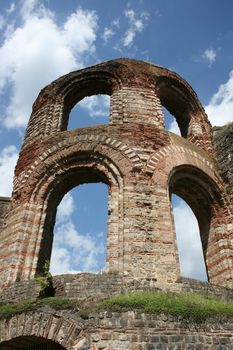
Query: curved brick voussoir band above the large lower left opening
{"type": "Point", "coordinates": [117, 158]}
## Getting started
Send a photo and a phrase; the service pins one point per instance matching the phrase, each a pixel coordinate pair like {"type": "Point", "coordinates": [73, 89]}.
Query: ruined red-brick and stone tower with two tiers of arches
{"type": "Point", "coordinates": [142, 164]}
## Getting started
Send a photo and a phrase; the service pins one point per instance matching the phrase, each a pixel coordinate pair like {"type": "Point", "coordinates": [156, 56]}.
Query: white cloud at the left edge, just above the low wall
{"type": "Point", "coordinates": [8, 159]}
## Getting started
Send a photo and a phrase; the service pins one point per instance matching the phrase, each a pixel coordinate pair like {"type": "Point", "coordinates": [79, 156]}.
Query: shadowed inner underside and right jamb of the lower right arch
{"type": "Point", "coordinates": [206, 200]}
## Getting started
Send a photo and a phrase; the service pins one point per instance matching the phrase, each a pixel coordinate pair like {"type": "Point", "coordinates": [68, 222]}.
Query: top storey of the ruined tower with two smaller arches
{"type": "Point", "coordinates": [149, 83]}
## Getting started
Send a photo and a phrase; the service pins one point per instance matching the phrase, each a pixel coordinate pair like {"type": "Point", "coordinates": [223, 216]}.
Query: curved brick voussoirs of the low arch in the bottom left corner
{"type": "Point", "coordinates": [49, 326]}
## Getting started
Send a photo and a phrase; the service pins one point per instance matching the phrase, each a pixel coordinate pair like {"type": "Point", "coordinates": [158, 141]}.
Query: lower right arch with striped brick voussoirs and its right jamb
{"type": "Point", "coordinates": [178, 169]}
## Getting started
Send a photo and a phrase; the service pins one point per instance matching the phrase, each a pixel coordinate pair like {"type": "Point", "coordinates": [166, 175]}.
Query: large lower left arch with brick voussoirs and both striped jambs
{"type": "Point", "coordinates": [55, 174]}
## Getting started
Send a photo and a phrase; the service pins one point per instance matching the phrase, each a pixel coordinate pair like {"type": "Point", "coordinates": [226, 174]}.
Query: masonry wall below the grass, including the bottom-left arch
{"type": "Point", "coordinates": [113, 330]}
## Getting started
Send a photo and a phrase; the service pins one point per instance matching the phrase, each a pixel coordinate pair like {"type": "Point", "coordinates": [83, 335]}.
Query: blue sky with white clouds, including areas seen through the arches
{"type": "Point", "coordinates": [42, 40]}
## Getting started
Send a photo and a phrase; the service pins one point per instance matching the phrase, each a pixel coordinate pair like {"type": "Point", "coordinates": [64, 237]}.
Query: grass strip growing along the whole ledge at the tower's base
{"type": "Point", "coordinates": [186, 306]}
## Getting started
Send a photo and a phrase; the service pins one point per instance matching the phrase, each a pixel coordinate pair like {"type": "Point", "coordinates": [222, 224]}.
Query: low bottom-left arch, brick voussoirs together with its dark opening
{"type": "Point", "coordinates": [43, 328]}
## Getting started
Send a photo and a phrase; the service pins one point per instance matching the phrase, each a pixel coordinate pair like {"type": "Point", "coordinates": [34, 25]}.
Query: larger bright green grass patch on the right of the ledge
{"type": "Point", "coordinates": [187, 306]}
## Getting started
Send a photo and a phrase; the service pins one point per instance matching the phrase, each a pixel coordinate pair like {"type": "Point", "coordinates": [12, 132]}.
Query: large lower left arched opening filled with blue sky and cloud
{"type": "Point", "coordinates": [79, 242]}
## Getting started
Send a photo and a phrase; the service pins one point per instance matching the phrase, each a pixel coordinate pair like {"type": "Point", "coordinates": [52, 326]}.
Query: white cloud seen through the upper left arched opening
{"type": "Point", "coordinates": [97, 105]}
